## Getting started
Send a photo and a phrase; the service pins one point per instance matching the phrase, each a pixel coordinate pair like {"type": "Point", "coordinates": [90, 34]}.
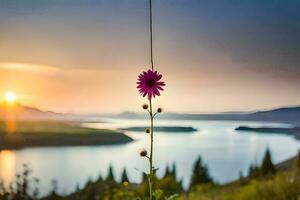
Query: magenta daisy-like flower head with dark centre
{"type": "Point", "coordinates": [149, 84]}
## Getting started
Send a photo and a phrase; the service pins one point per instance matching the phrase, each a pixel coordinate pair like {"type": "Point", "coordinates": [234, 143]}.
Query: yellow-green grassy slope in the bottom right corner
{"type": "Point", "coordinates": [284, 185]}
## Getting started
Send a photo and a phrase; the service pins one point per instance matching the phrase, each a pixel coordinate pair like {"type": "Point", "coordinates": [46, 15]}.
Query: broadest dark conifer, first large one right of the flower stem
{"type": "Point", "coordinates": [200, 174]}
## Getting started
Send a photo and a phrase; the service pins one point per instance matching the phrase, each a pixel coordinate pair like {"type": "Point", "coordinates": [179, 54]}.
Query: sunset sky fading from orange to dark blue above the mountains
{"type": "Point", "coordinates": [83, 56]}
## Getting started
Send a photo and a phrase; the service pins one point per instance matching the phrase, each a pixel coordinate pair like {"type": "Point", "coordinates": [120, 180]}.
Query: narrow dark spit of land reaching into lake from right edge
{"type": "Point", "coordinates": [294, 131]}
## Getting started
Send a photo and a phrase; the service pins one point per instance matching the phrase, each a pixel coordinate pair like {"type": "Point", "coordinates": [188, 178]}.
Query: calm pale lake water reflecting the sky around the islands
{"type": "Point", "coordinates": [224, 150]}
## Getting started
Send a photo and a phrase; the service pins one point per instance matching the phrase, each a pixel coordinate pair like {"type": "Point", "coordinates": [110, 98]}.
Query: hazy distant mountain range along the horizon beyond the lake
{"type": "Point", "coordinates": [286, 115]}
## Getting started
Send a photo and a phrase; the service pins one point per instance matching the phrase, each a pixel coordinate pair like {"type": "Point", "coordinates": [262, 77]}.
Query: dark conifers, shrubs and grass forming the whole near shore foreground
{"type": "Point", "coordinates": [264, 182]}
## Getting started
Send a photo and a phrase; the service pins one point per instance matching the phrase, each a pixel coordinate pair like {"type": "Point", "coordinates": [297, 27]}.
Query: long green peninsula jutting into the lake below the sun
{"type": "Point", "coordinates": [47, 133]}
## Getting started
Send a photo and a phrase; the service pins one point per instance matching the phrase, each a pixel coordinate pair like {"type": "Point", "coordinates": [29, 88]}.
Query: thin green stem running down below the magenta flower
{"type": "Point", "coordinates": [151, 150]}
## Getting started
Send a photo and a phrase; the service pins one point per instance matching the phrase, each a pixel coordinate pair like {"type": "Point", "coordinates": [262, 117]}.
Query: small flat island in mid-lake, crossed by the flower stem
{"type": "Point", "coordinates": [174, 129]}
